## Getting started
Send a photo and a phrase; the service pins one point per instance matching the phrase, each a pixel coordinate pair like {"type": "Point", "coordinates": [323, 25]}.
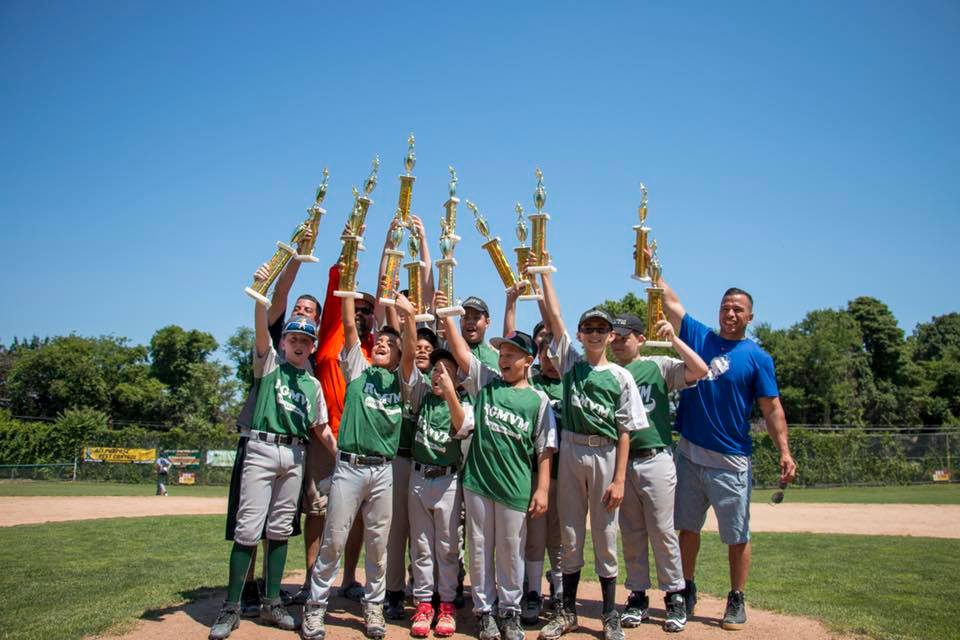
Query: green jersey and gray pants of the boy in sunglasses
{"type": "Point", "coordinates": [599, 403]}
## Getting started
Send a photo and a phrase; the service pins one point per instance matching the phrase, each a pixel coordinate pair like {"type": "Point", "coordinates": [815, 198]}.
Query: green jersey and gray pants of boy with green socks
{"type": "Point", "coordinates": [288, 403]}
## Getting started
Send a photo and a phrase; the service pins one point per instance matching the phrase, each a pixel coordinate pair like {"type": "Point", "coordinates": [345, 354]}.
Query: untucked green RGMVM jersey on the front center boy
{"type": "Point", "coordinates": [512, 426]}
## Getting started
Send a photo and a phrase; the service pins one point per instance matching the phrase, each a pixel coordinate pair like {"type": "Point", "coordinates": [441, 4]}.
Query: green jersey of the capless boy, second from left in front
{"type": "Point", "coordinates": [372, 408]}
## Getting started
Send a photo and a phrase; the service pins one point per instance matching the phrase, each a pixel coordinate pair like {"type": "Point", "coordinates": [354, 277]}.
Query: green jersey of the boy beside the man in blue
{"type": "Point", "coordinates": [655, 377]}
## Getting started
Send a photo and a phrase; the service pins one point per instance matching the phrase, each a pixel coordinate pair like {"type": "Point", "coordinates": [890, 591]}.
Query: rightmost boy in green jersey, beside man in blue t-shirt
{"type": "Point", "coordinates": [647, 509]}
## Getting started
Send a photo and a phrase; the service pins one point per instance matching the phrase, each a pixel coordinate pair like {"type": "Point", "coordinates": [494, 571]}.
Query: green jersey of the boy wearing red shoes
{"type": "Point", "coordinates": [433, 438]}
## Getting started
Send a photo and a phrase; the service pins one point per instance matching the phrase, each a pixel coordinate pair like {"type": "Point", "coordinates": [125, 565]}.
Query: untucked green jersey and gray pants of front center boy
{"type": "Point", "coordinates": [513, 425]}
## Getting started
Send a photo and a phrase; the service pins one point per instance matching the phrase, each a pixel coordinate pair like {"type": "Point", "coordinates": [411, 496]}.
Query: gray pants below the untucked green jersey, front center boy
{"type": "Point", "coordinates": [493, 528]}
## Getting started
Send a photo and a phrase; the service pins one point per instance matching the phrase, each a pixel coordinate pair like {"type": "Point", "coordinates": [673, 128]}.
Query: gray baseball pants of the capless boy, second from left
{"type": "Point", "coordinates": [355, 488]}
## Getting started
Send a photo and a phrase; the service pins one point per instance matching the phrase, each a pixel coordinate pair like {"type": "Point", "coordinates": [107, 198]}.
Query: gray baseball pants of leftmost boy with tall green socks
{"type": "Point", "coordinates": [269, 491]}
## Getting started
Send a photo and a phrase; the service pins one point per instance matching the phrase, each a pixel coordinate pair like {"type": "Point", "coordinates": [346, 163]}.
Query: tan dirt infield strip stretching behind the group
{"type": "Point", "coordinates": [938, 521]}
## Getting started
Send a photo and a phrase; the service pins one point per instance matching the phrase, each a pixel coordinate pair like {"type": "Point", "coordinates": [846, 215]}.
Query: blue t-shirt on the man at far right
{"type": "Point", "coordinates": [715, 414]}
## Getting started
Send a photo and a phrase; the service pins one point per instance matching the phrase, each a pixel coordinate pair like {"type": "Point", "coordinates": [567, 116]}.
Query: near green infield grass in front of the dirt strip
{"type": "Point", "coordinates": [69, 580]}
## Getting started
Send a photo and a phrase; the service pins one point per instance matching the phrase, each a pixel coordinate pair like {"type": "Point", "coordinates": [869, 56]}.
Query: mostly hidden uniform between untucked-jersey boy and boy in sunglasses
{"type": "Point", "coordinates": [543, 533]}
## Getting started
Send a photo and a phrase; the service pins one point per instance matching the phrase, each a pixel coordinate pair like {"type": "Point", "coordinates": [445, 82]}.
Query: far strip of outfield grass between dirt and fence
{"type": "Point", "coordinates": [909, 494]}
